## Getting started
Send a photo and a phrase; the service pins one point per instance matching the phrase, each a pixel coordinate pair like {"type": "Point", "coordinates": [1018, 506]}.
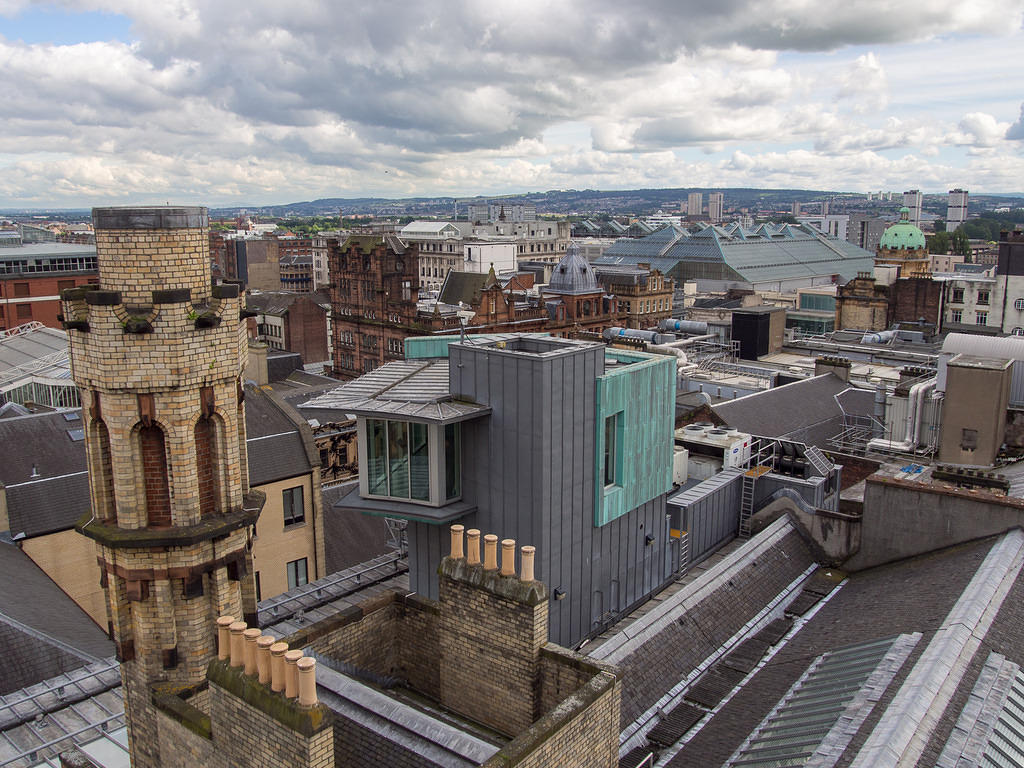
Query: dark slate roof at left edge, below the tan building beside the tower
{"type": "Point", "coordinates": [42, 631]}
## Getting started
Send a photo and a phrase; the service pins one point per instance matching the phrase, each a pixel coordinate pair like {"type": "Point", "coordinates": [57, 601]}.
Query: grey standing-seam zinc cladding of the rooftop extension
{"type": "Point", "coordinates": [530, 471]}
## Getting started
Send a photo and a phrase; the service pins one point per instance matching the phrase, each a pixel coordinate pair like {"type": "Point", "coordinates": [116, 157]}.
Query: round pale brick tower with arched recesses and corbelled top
{"type": "Point", "coordinates": [158, 355]}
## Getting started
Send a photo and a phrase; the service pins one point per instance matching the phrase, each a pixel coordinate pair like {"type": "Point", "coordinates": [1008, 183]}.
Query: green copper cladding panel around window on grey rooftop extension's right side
{"type": "Point", "coordinates": [635, 409]}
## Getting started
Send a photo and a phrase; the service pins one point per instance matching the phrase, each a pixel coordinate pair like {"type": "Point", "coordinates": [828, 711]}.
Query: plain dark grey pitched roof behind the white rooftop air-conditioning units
{"type": "Point", "coordinates": [806, 411]}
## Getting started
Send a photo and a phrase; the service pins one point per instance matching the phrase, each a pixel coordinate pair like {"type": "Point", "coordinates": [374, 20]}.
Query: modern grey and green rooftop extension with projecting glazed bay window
{"type": "Point", "coordinates": [560, 442]}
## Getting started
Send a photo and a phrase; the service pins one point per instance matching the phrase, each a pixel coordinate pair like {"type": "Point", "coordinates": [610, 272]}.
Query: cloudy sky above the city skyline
{"type": "Point", "coordinates": [221, 102]}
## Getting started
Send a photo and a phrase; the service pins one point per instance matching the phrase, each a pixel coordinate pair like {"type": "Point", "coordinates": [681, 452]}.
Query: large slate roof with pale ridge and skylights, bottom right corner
{"type": "Point", "coordinates": [934, 594]}
